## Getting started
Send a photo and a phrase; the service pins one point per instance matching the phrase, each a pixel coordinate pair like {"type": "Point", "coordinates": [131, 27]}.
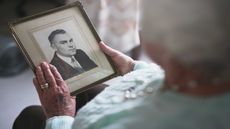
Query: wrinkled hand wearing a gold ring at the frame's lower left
{"type": "Point", "coordinates": [55, 97]}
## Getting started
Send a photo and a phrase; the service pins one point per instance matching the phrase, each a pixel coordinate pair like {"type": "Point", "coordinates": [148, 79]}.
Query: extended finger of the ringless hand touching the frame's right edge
{"type": "Point", "coordinates": [108, 50]}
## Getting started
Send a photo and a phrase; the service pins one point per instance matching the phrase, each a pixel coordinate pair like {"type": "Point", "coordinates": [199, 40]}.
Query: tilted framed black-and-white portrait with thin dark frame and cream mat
{"type": "Point", "coordinates": [66, 38]}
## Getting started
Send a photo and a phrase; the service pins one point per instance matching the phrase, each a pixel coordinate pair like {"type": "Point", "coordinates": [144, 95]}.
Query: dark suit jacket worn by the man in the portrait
{"type": "Point", "coordinates": [66, 70]}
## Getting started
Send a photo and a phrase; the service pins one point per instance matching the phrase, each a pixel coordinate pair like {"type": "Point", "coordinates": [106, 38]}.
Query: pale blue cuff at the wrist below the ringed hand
{"type": "Point", "coordinates": [59, 122]}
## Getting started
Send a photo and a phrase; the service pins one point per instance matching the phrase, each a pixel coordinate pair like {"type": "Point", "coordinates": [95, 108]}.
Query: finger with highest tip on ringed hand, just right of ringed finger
{"type": "Point", "coordinates": [48, 74]}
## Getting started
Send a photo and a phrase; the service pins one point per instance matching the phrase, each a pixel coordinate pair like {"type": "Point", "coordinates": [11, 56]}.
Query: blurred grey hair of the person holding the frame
{"type": "Point", "coordinates": [196, 32]}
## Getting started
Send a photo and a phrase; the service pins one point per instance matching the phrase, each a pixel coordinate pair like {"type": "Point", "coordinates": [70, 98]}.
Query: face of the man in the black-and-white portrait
{"type": "Point", "coordinates": [64, 45]}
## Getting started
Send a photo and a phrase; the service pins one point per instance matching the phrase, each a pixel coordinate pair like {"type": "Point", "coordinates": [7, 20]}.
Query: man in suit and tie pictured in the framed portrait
{"type": "Point", "coordinates": [68, 60]}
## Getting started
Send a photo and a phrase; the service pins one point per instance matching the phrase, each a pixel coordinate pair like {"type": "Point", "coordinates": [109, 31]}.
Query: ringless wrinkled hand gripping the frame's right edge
{"type": "Point", "coordinates": [124, 63]}
